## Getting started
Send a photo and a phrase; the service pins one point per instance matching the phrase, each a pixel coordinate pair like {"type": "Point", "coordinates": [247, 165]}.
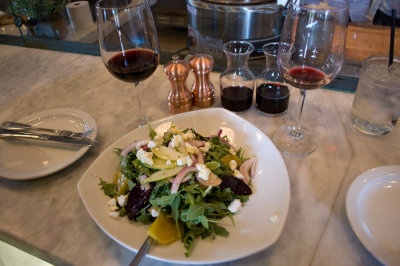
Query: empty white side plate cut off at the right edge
{"type": "Point", "coordinates": [373, 209]}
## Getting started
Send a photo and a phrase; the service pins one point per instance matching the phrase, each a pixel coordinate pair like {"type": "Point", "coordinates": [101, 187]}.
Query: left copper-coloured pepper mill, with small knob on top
{"type": "Point", "coordinates": [179, 97]}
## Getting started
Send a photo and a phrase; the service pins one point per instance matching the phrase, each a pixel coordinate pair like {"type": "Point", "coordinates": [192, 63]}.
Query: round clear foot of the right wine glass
{"type": "Point", "coordinates": [295, 142]}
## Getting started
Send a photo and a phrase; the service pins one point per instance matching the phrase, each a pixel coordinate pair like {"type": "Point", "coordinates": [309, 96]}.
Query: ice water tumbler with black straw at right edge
{"type": "Point", "coordinates": [376, 104]}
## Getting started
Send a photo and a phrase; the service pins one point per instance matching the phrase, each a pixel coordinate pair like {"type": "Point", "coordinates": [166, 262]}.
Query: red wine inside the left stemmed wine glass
{"type": "Point", "coordinates": [133, 65]}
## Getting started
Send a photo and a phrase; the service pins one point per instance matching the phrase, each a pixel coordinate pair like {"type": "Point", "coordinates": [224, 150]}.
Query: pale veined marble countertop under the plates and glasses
{"type": "Point", "coordinates": [48, 215]}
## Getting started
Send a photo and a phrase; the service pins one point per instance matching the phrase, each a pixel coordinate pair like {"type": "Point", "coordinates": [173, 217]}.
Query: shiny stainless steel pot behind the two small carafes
{"type": "Point", "coordinates": [211, 24]}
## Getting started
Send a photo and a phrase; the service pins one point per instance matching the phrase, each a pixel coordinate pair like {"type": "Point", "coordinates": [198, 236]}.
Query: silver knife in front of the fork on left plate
{"type": "Point", "coordinates": [13, 134]}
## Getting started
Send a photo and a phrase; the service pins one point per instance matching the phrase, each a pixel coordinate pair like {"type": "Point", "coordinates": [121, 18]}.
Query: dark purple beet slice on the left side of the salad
{"type": "Point", "coordinates": [137, 198]}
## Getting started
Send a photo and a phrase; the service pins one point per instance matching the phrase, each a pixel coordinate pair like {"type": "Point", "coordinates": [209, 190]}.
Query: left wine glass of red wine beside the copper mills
{"type": "Point", "coordinates": [128, 42]}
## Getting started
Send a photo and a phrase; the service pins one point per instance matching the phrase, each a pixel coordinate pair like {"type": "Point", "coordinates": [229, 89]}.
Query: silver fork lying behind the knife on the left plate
{"type": "Point", "coordinates": [59, 132]}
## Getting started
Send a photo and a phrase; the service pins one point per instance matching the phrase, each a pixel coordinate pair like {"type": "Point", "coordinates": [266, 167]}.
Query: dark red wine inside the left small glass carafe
{"type": "Point", "coordinates": [236, 98]}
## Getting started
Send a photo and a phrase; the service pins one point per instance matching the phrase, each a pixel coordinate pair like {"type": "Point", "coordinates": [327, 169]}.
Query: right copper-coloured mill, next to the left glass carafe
{"type": "Point", "coordinates": [202, 90]}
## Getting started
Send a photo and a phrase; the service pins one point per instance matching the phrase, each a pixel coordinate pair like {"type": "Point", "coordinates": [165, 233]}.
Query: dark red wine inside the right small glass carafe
{"type": "Point", "coordinates": [272, 98]}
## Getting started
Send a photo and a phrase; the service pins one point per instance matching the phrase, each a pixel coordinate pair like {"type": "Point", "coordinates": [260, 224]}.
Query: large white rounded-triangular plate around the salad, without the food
{"type": "Point", "coordinates": [257, 226]}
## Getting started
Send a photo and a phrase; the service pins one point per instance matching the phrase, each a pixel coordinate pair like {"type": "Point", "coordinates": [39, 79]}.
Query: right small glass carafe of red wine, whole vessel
{"type": "Point", "coordinates": [272, 94]}
